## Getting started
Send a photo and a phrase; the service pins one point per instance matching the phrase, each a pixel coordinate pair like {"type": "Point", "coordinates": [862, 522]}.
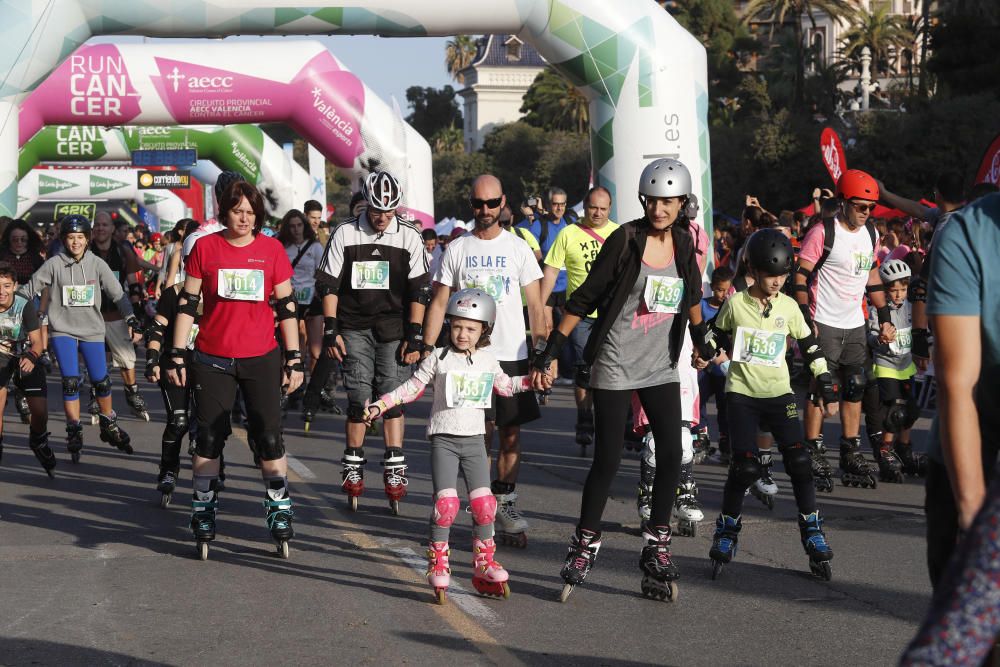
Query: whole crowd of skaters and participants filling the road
{"type": "Point", "coordinates": [235, 316]}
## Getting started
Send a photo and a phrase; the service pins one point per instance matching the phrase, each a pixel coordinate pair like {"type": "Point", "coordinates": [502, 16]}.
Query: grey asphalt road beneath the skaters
{"type": "Point", "coordinates": [93, 572]}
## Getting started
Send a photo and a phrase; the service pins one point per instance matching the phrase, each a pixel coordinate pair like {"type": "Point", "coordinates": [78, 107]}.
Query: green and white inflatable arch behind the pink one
{"type": "Point", "coordinates": [282, 181]}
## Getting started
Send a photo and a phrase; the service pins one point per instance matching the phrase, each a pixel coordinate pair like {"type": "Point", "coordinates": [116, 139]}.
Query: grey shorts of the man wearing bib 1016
{"type": "Point", "coordinates": [370, 367]}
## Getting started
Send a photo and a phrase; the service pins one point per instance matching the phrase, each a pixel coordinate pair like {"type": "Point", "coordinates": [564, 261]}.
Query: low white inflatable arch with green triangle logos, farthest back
{"type": "Point", "coordinates": [97, 185]}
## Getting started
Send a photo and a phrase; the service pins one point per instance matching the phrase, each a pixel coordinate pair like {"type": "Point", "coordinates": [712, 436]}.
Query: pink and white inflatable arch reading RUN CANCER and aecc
{"type": "Point", "coordinates": [298, 82]}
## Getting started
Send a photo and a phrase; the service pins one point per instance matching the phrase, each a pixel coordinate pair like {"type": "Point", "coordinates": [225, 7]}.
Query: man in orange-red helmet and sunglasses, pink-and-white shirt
{"type": "Point", "coordinates": [836, 267]}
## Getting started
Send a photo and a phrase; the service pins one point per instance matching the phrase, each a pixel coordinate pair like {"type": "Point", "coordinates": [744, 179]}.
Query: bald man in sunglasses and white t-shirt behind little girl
{"type": "Point", "coordinates": [503, 266]}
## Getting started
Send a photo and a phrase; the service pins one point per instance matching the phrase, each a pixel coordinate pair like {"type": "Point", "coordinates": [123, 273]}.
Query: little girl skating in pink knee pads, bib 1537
{"type": "Point", "coordinates": [464, 377]}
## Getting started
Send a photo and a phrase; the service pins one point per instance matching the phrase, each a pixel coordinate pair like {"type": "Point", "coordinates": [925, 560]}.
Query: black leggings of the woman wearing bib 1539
{"type": "Point", "coordinates": [662, 404]}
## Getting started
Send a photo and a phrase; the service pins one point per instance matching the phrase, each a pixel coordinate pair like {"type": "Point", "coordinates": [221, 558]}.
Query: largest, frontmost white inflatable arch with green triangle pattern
{"type": "Point", "coordinates": [645, 76]}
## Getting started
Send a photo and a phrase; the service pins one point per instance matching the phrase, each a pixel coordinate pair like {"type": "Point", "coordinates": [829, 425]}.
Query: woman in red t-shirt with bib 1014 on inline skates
{"type": "Point", "coordinates": [233, 274]}
